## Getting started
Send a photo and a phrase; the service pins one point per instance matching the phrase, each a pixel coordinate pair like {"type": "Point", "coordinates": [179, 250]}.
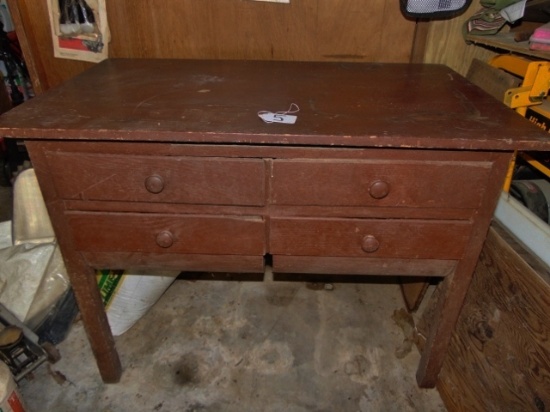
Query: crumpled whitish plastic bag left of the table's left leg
{"type": "Point", "coordinates": [32, 273]}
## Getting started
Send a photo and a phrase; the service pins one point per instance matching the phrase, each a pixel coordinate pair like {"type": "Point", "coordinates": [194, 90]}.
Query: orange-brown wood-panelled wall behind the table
{"type": "Point", "coordinates": [350, 30]}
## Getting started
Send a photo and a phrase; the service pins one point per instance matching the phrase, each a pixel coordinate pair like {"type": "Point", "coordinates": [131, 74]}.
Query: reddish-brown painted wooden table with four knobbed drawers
{"type": "Point", "coordinates": [390, 169]}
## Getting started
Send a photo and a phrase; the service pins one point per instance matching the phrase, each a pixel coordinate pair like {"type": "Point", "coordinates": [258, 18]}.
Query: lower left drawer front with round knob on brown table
{"type": "Point", "coordinates": [156, 233]}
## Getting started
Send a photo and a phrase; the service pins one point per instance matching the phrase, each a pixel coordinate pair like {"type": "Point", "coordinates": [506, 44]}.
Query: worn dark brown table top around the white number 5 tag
{"type": "Point", "coordinates": [212, 101]}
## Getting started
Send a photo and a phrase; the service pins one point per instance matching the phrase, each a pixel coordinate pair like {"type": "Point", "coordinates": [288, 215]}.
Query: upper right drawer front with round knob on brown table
{"type": "Point", "coordinates": [383, 183]}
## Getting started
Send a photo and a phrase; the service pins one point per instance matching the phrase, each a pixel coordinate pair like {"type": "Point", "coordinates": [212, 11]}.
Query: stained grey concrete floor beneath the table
{"type": "Point", "coordinates": [228, 345]}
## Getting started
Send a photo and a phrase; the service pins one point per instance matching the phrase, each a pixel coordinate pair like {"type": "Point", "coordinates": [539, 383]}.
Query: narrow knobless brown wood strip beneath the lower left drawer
{"type": "Point", "coordinates": [183, 262]}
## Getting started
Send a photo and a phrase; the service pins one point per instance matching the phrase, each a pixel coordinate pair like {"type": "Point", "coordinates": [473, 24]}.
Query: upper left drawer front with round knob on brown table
{"type": "Point", "coordinates": [166, 179]}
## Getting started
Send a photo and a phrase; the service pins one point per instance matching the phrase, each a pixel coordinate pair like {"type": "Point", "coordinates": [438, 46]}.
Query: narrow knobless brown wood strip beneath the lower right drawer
{"type": "Point", "coordinates": [362, 266]}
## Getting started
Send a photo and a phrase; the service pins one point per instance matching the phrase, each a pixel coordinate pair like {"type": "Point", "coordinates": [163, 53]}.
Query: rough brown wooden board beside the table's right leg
{"type": "Point", "coordinates": [499, 355]}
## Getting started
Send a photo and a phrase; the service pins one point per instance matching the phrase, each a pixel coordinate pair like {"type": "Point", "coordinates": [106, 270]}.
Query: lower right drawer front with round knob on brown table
{"type": "Point", "coordinates": [375, 238]}
